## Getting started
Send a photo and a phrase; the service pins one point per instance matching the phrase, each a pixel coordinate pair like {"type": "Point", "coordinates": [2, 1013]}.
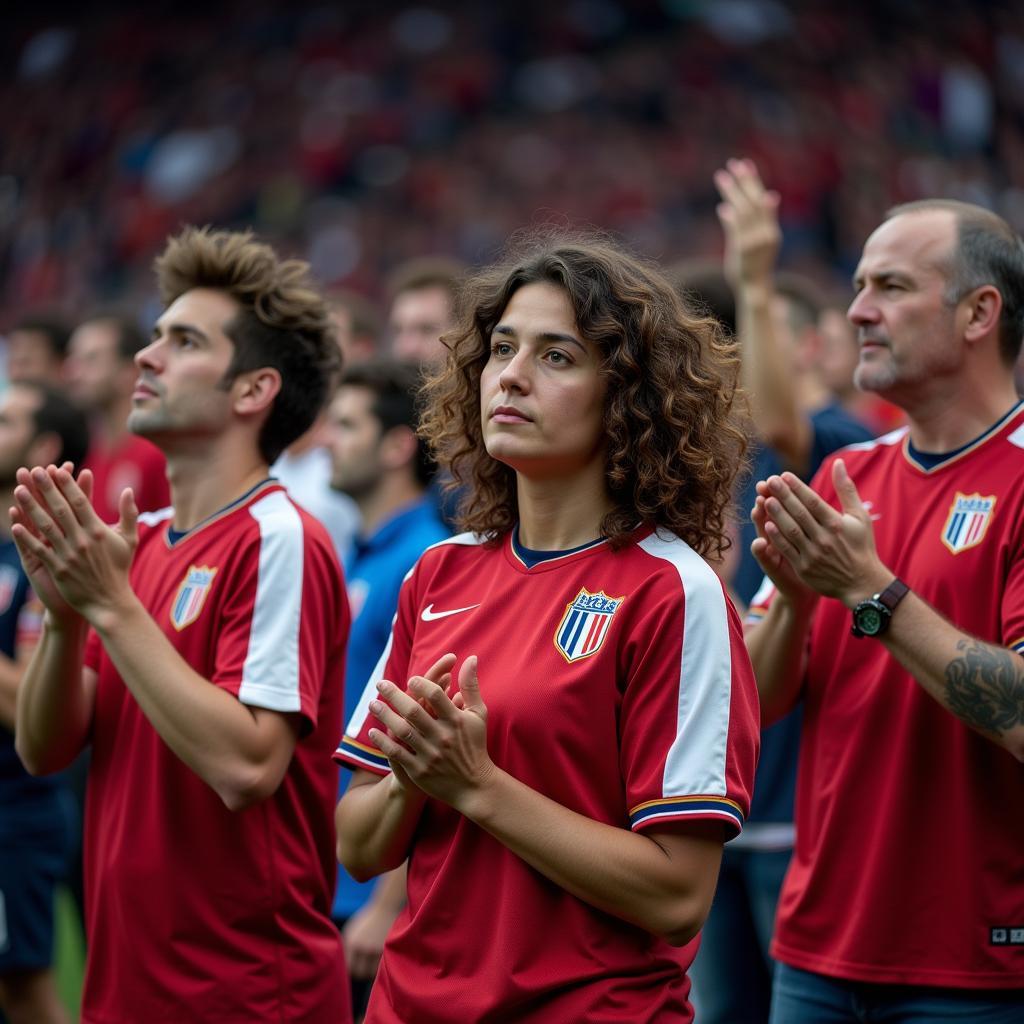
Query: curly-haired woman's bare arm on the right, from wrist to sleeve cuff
{"type": "Point", "coordinates": [665, 890]}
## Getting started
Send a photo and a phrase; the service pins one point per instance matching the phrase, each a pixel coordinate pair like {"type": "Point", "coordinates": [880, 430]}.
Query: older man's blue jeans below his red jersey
{"type": "Point", "coordinates": [804, 998]}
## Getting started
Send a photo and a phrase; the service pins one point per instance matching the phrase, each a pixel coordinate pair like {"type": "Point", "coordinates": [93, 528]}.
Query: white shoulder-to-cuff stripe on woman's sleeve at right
{"type": "Point", "coordinates": [697, 760]}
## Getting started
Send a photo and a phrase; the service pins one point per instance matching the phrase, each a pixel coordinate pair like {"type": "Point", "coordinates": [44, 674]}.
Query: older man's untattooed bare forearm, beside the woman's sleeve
{"type": "Point", "coordinates": [778, 647]}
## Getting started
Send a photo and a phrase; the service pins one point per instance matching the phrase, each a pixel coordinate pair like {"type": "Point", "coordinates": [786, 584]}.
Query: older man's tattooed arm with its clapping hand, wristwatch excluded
{"type": "Point", "coordinates": [980, 682]}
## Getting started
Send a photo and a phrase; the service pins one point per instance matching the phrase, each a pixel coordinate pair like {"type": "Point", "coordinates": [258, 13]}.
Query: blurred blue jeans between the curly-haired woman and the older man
{"type": "Point", "coordinates": [733, 973]}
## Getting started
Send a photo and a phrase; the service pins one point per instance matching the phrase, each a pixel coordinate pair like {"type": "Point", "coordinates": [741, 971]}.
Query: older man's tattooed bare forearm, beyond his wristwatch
{"type": "Point", "coordinates": [982, 684]}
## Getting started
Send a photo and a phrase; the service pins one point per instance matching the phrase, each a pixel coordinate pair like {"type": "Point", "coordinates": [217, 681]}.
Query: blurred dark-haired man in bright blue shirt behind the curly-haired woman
{"type": "Point", "coordinates": [380, 462]}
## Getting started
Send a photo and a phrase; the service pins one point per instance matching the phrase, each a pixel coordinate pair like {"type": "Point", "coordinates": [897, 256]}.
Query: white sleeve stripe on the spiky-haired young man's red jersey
{"type": "Point", "coordinates": [271, 675]}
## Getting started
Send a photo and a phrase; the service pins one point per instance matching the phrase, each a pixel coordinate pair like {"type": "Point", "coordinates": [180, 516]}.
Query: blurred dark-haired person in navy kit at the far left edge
{"type": "Point", "coordinates": [38, 426]}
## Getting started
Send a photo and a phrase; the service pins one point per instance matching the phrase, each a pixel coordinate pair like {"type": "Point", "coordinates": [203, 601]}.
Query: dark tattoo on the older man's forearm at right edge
{"type": "Point", "coordinates": [986, 687]}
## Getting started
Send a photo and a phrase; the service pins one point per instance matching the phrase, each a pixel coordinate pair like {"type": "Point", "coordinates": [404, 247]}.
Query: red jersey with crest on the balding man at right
{"type": "Point", "coordinates": [910, 860]}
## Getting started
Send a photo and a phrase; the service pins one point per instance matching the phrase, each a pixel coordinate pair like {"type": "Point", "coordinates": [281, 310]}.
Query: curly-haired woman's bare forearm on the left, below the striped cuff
{"type": "Point", "coordinates": [374, 824]}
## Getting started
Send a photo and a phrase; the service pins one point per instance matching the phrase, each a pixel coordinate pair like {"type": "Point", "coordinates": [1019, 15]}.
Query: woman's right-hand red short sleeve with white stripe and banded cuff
{"type": "Point", "coordinates": [691, 715]}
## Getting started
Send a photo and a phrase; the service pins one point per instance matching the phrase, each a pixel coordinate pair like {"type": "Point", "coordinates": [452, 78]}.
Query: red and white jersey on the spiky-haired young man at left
{"type": "Point", "coordinates": [196, 913]}
